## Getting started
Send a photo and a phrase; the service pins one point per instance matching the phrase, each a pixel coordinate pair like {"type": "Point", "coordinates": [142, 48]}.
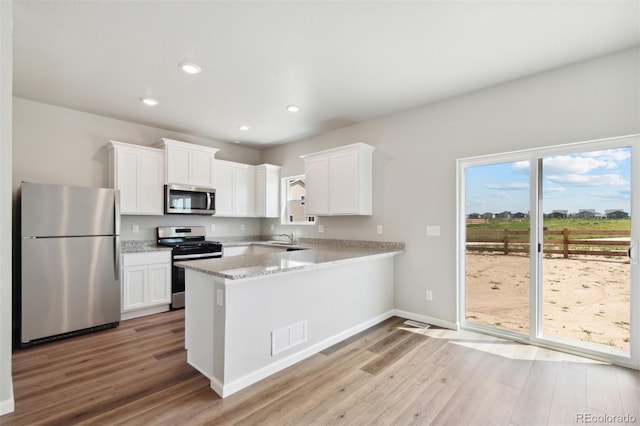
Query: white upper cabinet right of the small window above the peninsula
{"type": "Point", "coordinates": [339, 181]}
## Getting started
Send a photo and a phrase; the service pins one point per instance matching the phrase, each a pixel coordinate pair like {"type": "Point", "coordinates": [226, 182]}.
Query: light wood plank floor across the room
{"type": "Point", "coordinates": [389, 375]}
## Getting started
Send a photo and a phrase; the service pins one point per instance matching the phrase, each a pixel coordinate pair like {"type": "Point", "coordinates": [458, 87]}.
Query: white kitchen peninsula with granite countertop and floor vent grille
{"type": "Point", "coordinates": [250, 316]}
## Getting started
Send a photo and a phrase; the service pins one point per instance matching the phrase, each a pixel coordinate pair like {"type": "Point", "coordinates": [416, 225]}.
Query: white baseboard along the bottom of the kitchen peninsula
{"type": "Point", "coordinates": [251, 378]}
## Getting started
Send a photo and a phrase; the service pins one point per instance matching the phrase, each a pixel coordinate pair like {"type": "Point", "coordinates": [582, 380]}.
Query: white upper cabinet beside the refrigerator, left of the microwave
{"type": "Point", "coordinates": [138, 172]}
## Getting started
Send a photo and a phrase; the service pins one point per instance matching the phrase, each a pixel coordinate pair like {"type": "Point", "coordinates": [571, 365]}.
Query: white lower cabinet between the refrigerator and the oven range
{"type": "Point", "coordinates": [146, 283]}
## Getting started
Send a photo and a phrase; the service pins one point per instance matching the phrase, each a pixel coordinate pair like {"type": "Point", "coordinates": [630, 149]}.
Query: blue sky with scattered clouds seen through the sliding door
{"type": "Point", "coordinates": [599, 180]}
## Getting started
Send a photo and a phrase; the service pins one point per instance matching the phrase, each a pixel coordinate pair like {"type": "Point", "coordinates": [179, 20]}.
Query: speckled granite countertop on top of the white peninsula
{"type": "Point", "coordinates": [313, 256]}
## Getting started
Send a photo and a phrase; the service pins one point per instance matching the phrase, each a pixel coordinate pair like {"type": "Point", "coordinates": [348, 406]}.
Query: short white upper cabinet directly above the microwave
{"type": "Point", "coordinates": [189, 164]}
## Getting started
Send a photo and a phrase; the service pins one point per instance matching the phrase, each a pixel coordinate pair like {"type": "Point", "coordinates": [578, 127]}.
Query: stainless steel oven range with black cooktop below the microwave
{"type": "Point", "coordinates": [187, 243]}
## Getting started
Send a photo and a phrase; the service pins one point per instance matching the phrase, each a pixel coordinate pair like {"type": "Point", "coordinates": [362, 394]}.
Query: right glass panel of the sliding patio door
{"type": "Point", "coordinates": [586, 270]}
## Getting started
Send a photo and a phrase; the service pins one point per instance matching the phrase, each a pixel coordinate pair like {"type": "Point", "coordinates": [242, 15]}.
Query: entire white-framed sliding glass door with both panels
{"type": "Point", "coordinates": [548, 247]}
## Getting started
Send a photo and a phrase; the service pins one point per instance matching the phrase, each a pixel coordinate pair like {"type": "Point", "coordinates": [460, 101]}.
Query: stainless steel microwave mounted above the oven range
{"type": "Point", "coordinates": [186, 199]}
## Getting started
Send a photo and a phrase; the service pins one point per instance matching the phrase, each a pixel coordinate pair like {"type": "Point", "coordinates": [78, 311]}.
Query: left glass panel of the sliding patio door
{"type": "Point", "coordinates": [497, 245]}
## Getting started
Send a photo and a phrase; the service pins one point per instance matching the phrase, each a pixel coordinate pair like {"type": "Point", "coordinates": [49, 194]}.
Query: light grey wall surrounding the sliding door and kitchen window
{"type": "Point", "coordinates": [416, 152]}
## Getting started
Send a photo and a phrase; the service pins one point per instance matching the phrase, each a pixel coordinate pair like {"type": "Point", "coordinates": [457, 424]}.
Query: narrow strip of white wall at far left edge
{"type": "Point", "coordinates": [6, 40]}
